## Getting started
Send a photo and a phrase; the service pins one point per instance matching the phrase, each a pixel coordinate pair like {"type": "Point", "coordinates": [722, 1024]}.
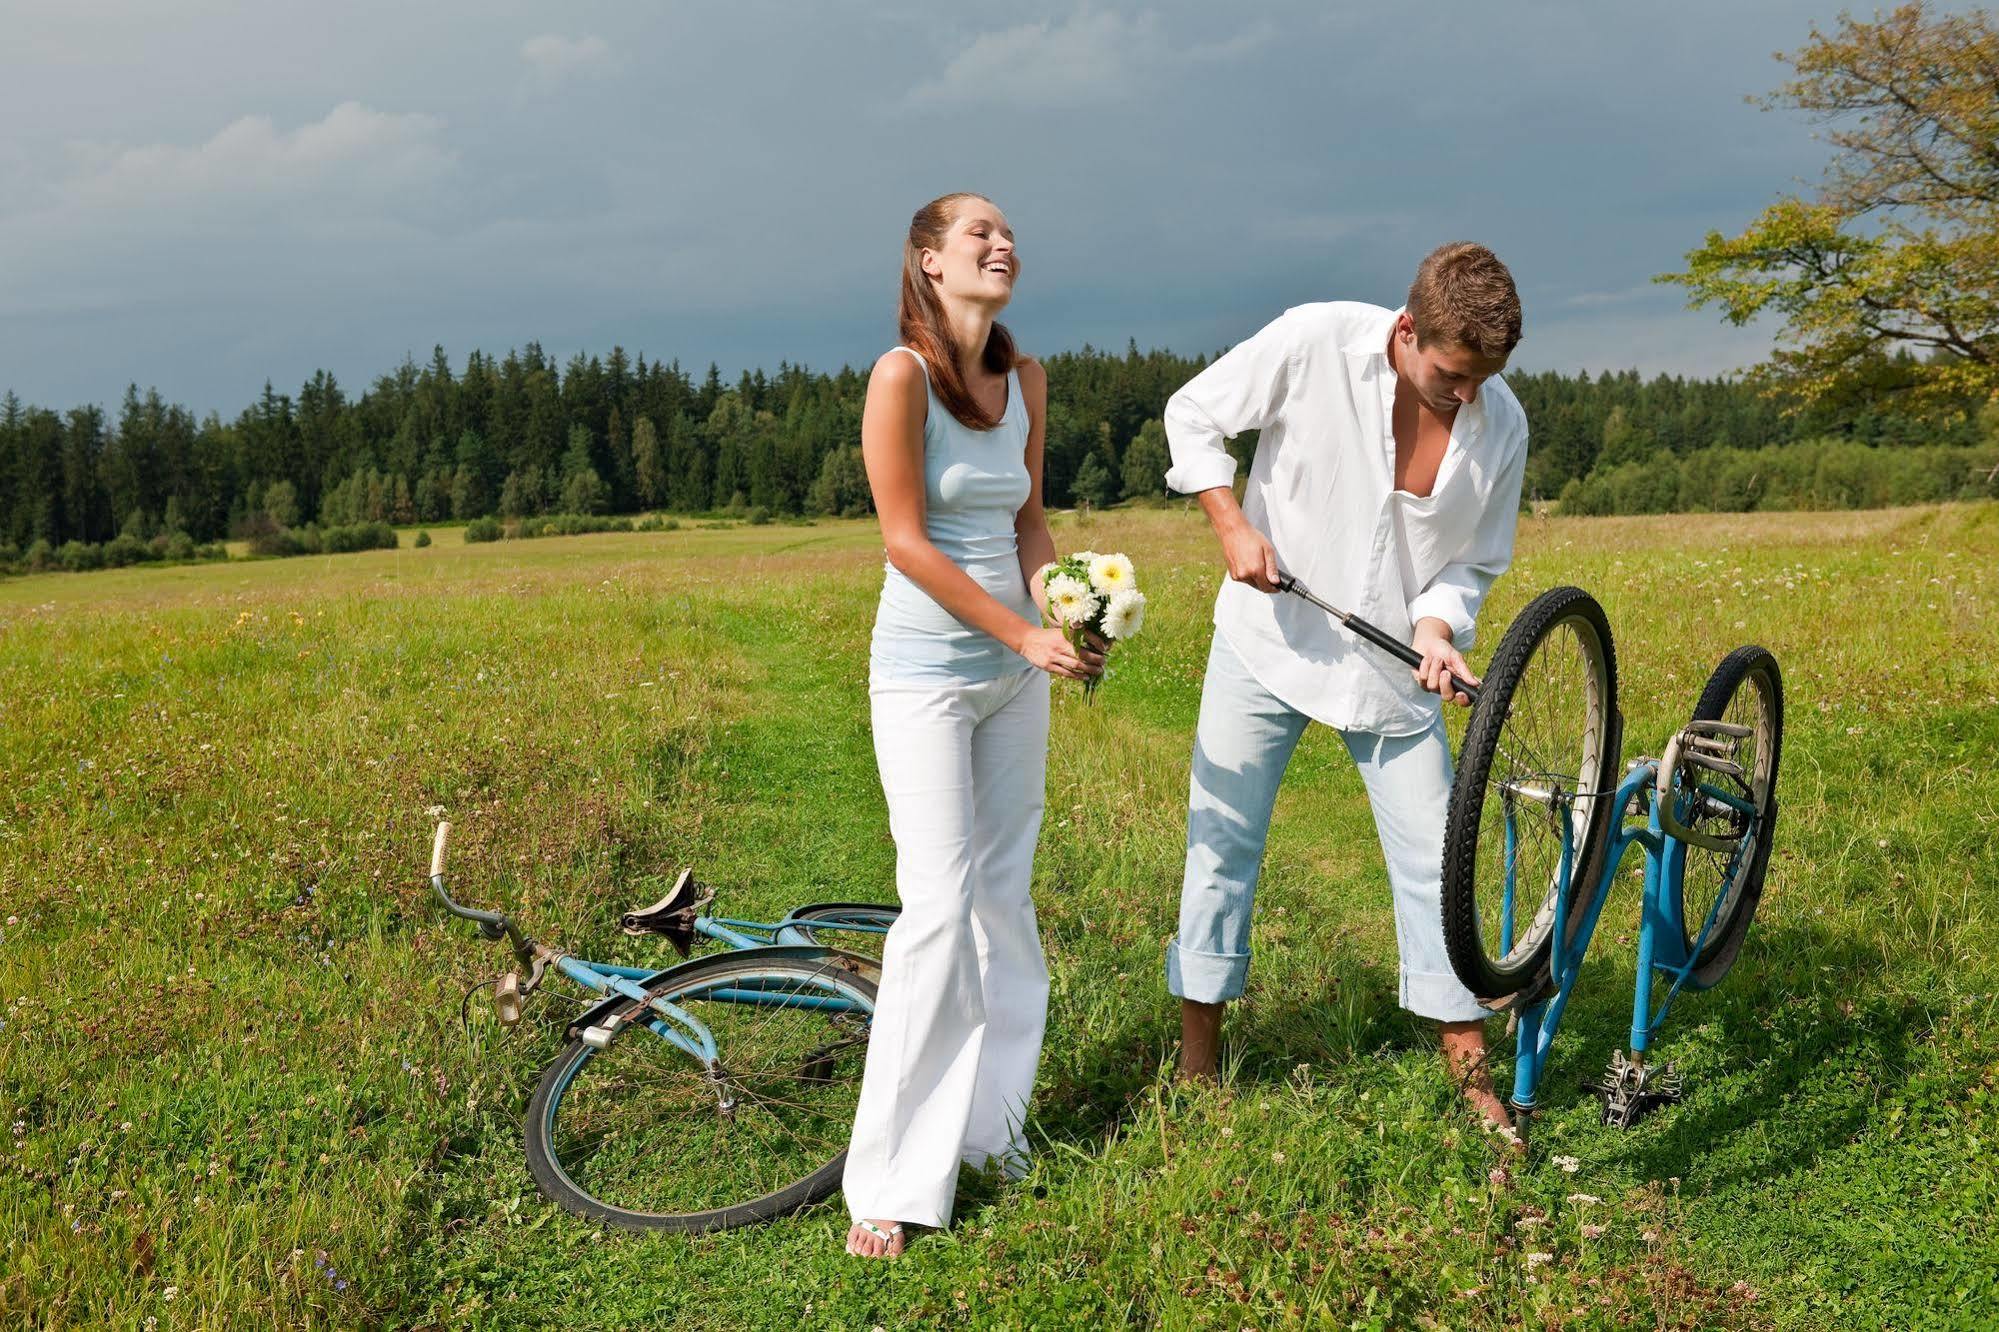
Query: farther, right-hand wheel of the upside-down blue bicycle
{"type": "Point", "coordinates": [1748, 691]}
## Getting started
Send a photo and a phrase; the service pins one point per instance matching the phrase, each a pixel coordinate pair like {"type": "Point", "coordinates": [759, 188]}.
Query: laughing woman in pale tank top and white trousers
{"type": "Point", "coordinates": [959, 685]}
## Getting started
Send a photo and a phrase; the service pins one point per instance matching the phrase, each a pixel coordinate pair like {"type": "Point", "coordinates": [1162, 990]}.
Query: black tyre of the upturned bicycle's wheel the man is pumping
{"type": "Point", "coordinates": [1588, 763]}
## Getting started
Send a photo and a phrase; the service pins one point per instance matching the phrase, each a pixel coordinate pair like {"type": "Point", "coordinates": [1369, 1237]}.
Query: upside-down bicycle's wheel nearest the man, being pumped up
{"type": "Point", "coordinates": [1534, 795]}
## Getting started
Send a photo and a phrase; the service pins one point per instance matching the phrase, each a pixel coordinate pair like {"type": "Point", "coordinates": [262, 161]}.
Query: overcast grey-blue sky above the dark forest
{"type": "Point", "coordinates": [201, 197]}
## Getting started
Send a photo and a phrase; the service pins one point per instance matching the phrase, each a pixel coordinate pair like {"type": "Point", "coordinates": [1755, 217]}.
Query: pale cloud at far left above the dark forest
{"type": "Point", "coordinates": [351, 149]}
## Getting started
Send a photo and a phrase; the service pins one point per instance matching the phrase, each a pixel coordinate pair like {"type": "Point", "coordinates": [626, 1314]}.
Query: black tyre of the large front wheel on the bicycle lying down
{"type": "Point", "coordinates": [673, 1151]}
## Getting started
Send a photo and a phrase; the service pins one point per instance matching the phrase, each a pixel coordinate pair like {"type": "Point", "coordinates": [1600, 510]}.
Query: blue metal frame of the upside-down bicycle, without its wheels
{"type": "Point", "coordinates": [1662, 939]}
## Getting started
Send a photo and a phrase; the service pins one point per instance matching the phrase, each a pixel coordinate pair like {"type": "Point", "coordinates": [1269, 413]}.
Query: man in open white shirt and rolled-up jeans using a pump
{"type": "Point", "coordinates": [1386, 479]}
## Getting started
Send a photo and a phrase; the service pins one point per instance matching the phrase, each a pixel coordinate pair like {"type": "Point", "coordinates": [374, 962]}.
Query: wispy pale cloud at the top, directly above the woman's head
{"type": "Point", "coordinates": [1088, 59]}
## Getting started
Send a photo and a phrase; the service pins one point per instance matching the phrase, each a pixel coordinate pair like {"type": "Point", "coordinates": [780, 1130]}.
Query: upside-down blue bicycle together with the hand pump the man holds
{"type": "Point", "coordinates": [1540, 825]}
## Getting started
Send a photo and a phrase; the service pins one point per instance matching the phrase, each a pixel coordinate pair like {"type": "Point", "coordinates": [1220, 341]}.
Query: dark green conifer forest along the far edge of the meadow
{"type": "Point", "coordinates": [519, 437]}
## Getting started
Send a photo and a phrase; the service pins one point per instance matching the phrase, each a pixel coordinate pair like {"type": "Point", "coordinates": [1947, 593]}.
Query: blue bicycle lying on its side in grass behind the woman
{"type": "Point", "coordinates": [709, 1095]}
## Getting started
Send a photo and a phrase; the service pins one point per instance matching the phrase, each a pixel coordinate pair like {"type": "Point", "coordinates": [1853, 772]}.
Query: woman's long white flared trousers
{"type": "Point", "coordinates": [965, 989]}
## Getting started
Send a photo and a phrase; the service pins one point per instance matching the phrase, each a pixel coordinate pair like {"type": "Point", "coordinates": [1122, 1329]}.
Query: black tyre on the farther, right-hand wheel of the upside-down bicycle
{"type": "Point", "coordinates": [1758, 669]}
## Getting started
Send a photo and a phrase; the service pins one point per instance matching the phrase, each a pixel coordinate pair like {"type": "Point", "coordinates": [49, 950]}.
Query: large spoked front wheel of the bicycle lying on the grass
{"type": "Point", "coordinates": [649, 1137]}
